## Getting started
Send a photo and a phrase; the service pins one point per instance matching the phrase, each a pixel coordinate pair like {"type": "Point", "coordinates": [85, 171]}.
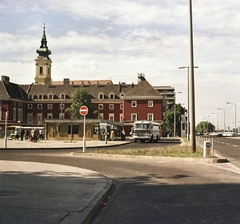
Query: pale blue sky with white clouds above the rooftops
{"type": "Point", "coordinates": [93, 40]}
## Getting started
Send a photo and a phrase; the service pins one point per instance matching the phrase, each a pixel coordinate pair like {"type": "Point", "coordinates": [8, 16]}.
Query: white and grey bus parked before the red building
{"type": "Point", "coordinates": [146, 130]}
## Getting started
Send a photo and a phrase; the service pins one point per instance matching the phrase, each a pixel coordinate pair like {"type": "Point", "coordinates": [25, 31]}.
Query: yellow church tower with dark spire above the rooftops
{"type": "Point", "coordinates": [43, 63]}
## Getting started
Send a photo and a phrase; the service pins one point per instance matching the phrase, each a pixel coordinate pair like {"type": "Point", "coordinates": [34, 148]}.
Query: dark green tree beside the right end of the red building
{"type": "Point", "coordinates": [168, 118]}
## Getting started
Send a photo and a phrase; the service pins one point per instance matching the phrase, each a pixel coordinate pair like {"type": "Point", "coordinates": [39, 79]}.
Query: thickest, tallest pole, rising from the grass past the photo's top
{"type": "Point", "coordinates": [191, 86]}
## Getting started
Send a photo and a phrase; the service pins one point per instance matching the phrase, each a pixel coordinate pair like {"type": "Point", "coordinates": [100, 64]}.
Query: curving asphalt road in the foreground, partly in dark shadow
{"type": "Point", "coordinates": [156, 190]}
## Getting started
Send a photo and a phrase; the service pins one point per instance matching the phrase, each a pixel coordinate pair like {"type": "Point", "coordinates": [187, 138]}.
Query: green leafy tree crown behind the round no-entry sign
{"type": "Point", "coordinates": [82, 97]}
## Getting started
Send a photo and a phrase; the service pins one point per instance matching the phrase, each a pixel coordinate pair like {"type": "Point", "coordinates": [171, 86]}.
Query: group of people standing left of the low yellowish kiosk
{"type": "Point", "coordinates": [34, 135]}
